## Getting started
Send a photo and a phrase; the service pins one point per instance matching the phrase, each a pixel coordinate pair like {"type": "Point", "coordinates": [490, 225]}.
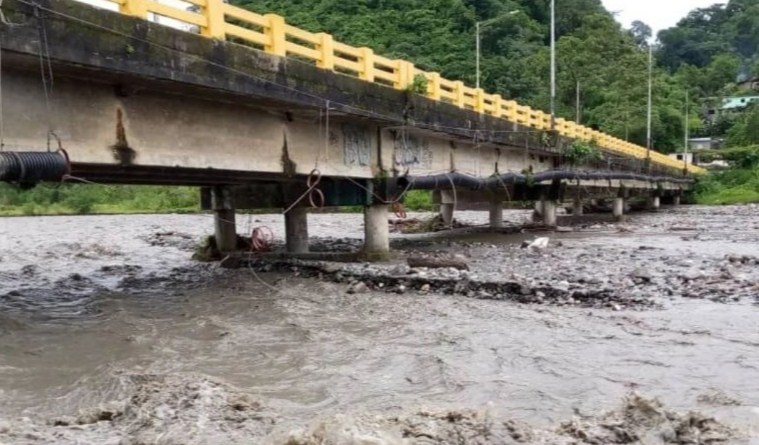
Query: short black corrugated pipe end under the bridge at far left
{"type": "Point", "coordinates": [28, 168]}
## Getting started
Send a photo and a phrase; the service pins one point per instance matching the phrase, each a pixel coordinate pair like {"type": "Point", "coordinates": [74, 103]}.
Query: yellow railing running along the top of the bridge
{"type": "Point", "coordinates": [270, 33]}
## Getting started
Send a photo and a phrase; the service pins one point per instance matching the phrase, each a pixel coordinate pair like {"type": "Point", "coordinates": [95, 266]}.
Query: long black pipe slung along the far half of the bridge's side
{"type": "Point", "coordinates": [455, 179]}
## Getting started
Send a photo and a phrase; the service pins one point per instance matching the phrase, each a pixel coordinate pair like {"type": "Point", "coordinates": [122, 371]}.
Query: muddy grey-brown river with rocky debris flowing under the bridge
{"type": "Point", "coordinates": [111, 333]}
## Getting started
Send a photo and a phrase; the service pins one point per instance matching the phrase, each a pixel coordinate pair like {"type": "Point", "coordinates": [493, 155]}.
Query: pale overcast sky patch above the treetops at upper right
{"type": "Point", "coordinates": [658, 14]}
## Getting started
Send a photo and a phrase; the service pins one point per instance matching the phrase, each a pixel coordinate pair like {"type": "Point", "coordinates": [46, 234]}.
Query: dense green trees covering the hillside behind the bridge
{"type": "Point", "coordinates": [702, 55]}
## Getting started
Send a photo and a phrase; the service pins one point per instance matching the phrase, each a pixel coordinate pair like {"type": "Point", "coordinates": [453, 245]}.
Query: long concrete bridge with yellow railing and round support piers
{"type": "Point", "coordinates": [262, 114]}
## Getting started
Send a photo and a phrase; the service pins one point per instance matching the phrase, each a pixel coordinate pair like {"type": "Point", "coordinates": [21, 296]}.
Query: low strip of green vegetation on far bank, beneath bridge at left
{"type": "Point", "coordinates": [46, 199]}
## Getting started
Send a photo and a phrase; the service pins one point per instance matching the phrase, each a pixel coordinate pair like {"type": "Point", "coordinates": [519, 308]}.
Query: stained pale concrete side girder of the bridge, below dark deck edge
{"type": "Point", "coordinates": [172, 130]}
